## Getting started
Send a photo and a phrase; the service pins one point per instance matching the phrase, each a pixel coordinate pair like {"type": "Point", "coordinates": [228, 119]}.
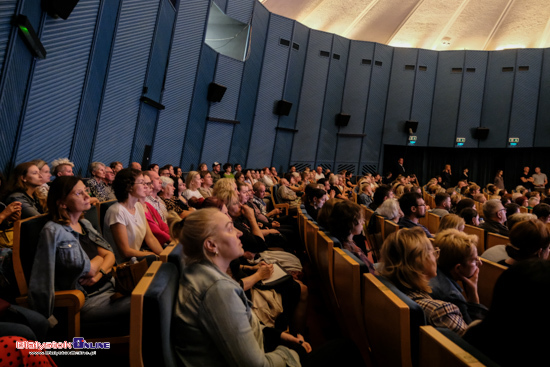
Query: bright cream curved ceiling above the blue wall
{"type": "Point", "coordinates": [430, 24]}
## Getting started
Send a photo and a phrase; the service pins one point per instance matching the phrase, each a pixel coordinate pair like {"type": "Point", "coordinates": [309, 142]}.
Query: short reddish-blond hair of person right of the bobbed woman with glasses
{"type": "Point", "coordinates": [456, 247]}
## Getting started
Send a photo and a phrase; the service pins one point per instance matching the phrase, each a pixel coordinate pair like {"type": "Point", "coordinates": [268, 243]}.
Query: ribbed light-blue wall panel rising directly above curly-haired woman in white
{"type": "Point", "coordinates": [125, 81]}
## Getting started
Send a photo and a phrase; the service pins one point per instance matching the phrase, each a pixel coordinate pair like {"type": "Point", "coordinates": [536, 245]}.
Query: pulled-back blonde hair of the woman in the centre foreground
{"type": "Point", "coordinates": [197, 228]}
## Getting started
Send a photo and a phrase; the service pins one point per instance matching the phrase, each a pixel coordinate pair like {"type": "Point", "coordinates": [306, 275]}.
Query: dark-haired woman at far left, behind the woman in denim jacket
{"type": "Point", "coordinates": [24, 181]}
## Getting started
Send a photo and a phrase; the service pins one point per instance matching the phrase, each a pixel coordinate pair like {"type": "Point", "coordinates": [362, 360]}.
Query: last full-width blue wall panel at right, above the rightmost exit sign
{"type": "Point", "coordinates": [526, 90]}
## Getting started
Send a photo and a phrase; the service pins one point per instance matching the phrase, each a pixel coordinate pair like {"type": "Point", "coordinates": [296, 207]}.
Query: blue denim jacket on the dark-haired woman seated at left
{"type": "Point", "coordinates": [59, 263]}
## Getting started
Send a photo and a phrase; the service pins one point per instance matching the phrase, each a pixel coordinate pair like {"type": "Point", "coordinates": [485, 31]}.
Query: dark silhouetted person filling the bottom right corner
{"type": "Point", "coordinates": [510, 334]}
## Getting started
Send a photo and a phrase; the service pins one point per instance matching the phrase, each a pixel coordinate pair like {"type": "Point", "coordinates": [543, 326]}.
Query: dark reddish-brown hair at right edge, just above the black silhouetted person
{"type": "Point", "coordinates": [527, 237]}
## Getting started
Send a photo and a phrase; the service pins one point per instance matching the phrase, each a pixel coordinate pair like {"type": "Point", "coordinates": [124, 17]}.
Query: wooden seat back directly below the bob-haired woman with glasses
{"type": "Point", "coordinates": [388, 323]}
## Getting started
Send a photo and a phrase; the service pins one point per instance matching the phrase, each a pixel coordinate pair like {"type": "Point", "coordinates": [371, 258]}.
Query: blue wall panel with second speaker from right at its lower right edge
{"type": "Point", "coordinates": [400, 96]}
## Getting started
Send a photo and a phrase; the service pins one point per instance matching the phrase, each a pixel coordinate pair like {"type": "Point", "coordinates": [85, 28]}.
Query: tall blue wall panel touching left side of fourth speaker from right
{"type": "Point", "coordinates": [271, 90]}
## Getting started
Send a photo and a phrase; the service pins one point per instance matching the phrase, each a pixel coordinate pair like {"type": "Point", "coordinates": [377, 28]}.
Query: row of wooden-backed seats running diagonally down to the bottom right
{"type": "Point", "coordinates": [385, 324]}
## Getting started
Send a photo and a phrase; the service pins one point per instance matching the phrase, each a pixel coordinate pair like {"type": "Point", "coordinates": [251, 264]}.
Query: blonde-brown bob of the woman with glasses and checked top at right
{"type": "Point", "coordinates": [403, 255]}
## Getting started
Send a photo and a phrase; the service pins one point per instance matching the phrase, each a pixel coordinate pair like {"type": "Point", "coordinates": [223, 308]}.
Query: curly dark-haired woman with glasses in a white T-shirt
{"type": "Point", "coordinates": [125, 225]}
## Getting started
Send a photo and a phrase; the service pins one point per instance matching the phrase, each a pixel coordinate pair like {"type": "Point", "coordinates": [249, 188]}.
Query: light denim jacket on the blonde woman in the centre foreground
{"type": "Point", "coordinates": [214, 326]}
